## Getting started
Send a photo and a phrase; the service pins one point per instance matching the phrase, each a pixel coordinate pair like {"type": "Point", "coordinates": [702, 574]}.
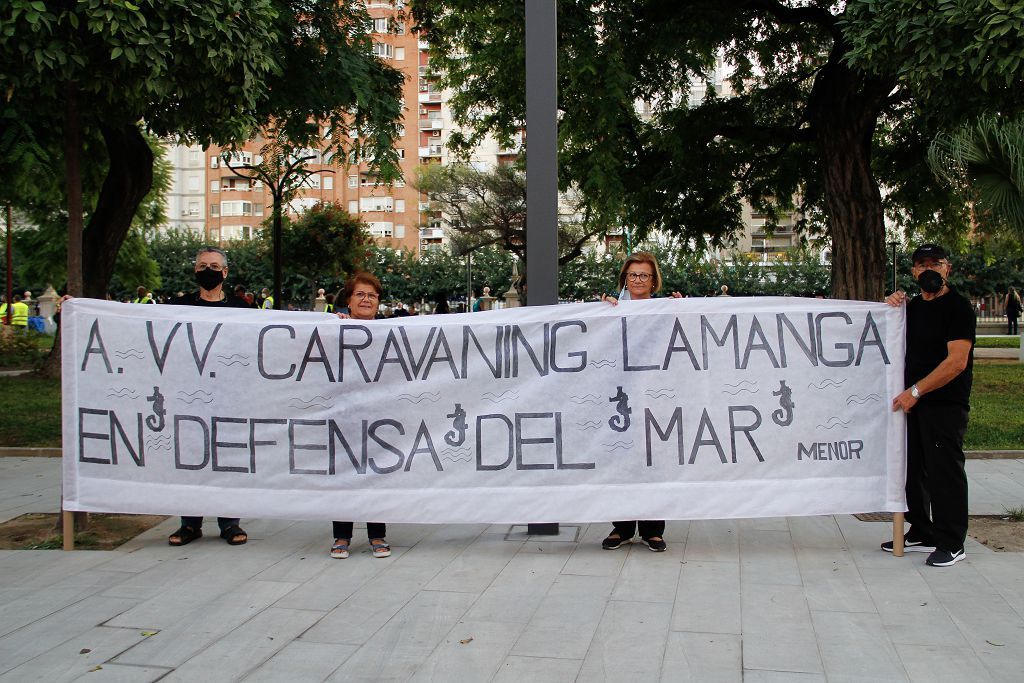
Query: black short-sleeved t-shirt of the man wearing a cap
{"type": "Point", "coordinates": [930, 327]}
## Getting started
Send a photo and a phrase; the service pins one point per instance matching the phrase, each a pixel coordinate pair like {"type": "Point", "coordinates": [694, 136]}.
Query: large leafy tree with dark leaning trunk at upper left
{"type": "Point", "coordinates": [210, 71]}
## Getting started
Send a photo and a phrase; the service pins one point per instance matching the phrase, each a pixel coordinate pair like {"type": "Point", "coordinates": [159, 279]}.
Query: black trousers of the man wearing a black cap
{"type": "Point", "coordinates": [936, 482]}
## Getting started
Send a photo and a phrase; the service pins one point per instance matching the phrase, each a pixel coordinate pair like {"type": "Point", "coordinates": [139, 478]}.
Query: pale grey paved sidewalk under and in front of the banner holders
{"type": "Point", "coordinates": [777, 600]}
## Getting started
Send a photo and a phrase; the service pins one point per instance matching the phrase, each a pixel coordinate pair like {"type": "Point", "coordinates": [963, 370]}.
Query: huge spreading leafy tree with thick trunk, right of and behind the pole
{"type": "Point", "coordinates": [813, 106]}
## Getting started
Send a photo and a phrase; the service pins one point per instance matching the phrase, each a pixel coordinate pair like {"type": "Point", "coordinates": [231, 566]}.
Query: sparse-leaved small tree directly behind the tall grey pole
{"type": "Point", "coordinates": [488, 208]}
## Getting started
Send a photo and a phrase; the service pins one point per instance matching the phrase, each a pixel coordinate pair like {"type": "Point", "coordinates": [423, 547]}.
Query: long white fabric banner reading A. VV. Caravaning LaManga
{"type": "Point", "coordinates": [674, 409]}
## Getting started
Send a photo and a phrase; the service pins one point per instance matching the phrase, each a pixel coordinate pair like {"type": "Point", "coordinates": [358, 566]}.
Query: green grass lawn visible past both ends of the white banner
{"type": "Point", "coordinates": [31, 410]}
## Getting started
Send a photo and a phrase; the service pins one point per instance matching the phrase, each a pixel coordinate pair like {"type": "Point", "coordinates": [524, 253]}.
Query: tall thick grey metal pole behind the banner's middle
{"type": "Point", "coordinates": [542, 165]}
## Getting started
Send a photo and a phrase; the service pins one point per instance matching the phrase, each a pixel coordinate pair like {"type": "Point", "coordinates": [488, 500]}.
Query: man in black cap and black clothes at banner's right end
{"type": "Point", "coordinates": [941, 335]}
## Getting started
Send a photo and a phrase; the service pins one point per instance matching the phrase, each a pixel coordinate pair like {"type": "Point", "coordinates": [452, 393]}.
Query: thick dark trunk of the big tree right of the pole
{"type": "Point", "coordinates": [844, 111]}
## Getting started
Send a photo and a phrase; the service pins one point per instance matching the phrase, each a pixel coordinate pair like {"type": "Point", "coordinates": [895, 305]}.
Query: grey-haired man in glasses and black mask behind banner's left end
{"type": "Point", "coordinates": [211, 271]}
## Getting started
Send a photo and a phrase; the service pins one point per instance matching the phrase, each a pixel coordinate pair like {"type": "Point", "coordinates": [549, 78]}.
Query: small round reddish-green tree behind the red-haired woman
{"type": "Point", "coordinates": [323, 246]}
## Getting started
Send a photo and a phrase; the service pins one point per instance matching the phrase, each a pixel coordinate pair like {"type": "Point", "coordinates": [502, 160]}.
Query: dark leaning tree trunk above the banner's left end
{"type": "Point", "coordinates": [129, 181]}
